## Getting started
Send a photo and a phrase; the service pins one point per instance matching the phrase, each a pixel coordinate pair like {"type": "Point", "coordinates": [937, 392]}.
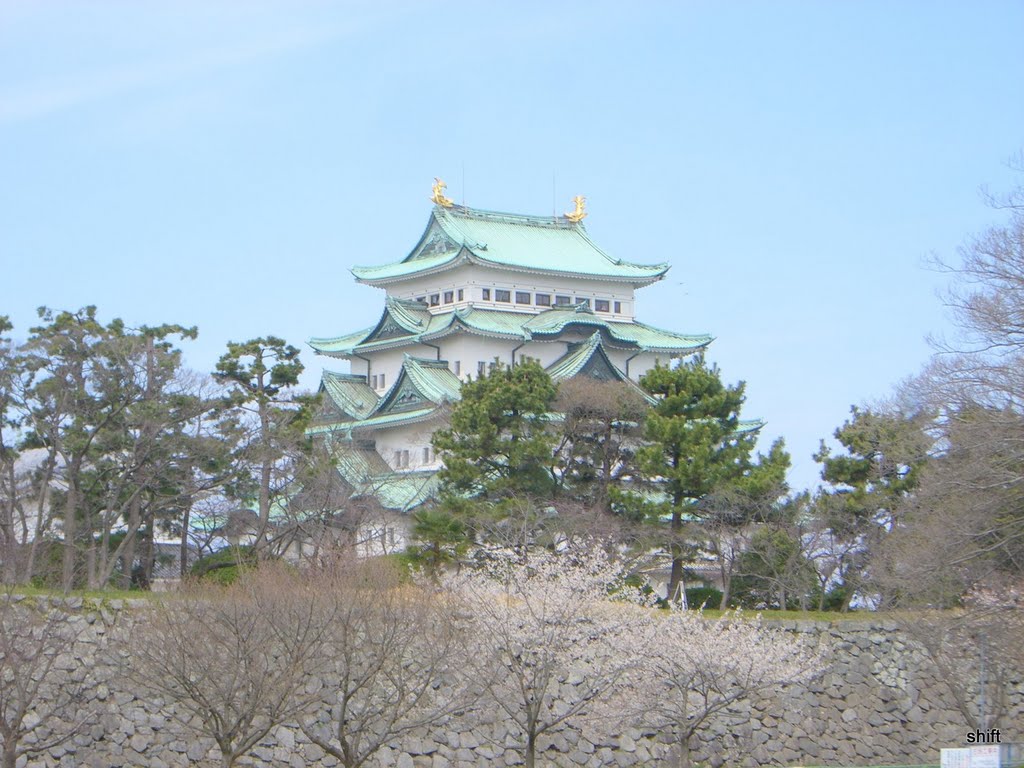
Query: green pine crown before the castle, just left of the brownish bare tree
{"type": "Point", "coordinates": [498, 443]}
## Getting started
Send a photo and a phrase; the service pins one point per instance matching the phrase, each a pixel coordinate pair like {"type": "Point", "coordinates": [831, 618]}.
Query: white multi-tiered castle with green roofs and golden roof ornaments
{"type": "Point", "coordinates": [479, 287]}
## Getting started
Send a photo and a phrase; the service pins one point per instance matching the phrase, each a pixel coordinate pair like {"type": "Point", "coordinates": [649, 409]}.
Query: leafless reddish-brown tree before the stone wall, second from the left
{"type": "Point", "coordinates": [235, 661]}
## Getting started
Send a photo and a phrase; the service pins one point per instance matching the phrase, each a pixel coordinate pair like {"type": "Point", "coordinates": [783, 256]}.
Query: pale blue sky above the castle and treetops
{"type": "Point", "coordinates": [225, 164]}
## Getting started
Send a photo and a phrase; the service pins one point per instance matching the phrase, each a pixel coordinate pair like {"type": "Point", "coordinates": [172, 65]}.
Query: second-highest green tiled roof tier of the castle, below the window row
{"type": "Point", "coordinates": [520, 326]}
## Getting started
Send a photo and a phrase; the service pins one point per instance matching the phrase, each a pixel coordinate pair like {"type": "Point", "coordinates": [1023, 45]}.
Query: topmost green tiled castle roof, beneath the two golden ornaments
{"type": "Point", "coordinates": [509, 241]}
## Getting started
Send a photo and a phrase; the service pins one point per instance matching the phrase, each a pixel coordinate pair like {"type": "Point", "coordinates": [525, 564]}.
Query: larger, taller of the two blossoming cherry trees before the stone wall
{"type": "Point", "coordinates": [551, 647]}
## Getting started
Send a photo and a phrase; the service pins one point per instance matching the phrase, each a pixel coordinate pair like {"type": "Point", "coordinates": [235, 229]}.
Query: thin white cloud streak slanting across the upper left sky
{"type": "Point", "coordinates": [44, 99]}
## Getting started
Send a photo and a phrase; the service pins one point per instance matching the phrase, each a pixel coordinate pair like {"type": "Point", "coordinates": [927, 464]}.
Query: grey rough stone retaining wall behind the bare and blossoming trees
{"type": "Point", "coordinates": [880, 702]}
